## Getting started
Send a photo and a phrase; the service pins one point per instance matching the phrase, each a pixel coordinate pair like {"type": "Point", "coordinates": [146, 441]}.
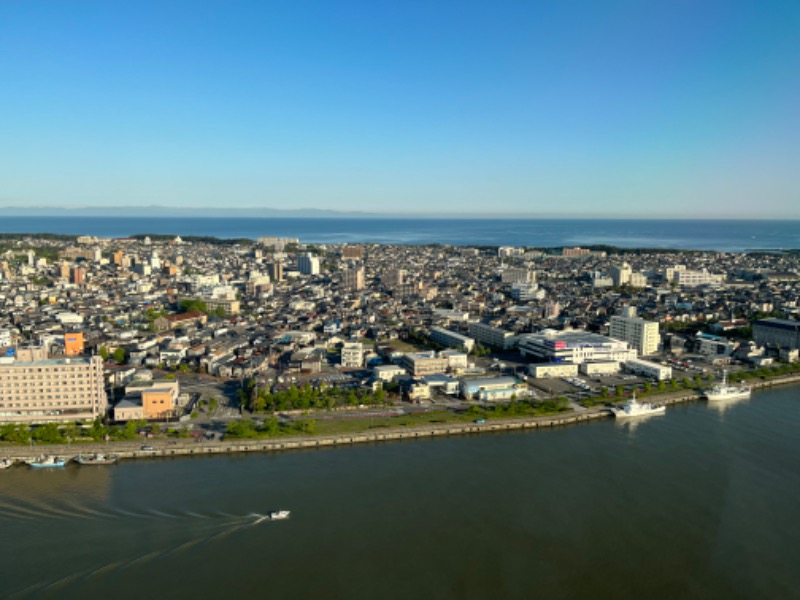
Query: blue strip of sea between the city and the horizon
{"type": "Point", "coordinates": [722, 235]}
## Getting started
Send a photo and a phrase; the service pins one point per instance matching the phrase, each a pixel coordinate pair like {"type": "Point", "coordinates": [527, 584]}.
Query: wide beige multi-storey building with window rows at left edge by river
{"type": "Point", "coordinates": [36, 389]}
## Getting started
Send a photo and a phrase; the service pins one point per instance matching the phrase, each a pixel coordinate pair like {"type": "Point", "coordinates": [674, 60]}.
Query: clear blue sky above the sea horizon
{"type": "Point", "coordinates": [595, 107]}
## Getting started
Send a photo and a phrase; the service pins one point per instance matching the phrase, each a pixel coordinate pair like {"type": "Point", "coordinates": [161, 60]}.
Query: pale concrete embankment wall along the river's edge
{"type": "Point", "coordinates": [177, 448]}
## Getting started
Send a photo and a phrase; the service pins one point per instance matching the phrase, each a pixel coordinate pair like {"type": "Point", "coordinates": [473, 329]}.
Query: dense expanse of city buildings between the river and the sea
{"type": "Point", "coordinates": [278, 312]}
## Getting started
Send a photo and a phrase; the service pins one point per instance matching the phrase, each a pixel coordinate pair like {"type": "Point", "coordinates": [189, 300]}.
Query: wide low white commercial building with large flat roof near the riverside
{"type": "Point", "coordinates": [574, 347]}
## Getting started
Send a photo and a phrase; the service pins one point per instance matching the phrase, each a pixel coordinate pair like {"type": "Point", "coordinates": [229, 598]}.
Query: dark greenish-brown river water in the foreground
{"type": "Point", "coordinates": [698, 503]}
